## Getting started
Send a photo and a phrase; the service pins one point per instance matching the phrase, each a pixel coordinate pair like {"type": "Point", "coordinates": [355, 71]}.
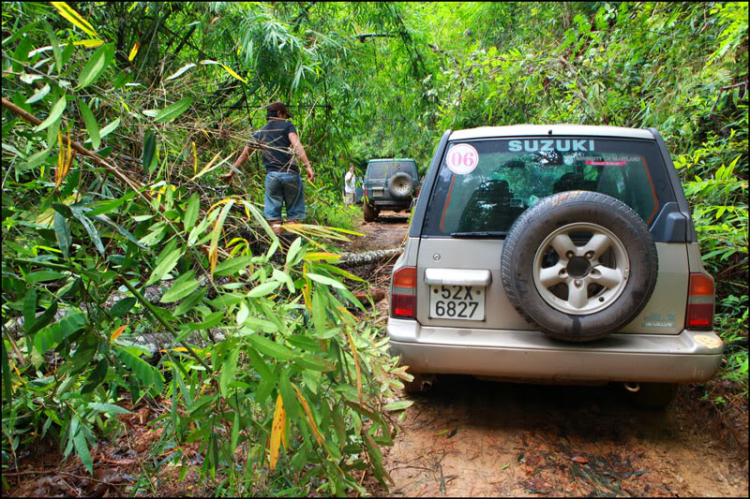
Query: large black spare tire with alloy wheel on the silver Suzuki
{"type": "Point", "coordinates": [579, 264]}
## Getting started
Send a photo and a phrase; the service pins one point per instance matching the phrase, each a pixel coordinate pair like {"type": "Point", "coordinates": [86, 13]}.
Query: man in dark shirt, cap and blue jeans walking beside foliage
{"type": "Point", "coordinates": [278, 141]}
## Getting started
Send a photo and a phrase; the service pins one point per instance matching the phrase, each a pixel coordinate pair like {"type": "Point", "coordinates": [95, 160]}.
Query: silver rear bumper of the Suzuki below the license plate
{"type": "Point", "coordinates": [688, 357]}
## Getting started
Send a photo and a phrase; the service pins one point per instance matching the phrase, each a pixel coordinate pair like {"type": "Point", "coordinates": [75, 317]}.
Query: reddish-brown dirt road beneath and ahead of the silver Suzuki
{"type": "Point", "coordinates": [481, 438]}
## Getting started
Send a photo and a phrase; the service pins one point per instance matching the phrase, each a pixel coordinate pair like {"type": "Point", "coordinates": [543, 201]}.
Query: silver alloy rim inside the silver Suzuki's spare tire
{"type": "Point", "coordinates": [578, 267]}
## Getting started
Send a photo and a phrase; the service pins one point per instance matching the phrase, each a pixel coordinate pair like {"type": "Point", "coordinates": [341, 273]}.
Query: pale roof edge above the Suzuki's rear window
{"type": "Point", "coordinates": [553, 130]}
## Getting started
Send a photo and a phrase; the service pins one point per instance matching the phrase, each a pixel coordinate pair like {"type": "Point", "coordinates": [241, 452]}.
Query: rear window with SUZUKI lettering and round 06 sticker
{"type": "Point", "coordinates": [510, 175]}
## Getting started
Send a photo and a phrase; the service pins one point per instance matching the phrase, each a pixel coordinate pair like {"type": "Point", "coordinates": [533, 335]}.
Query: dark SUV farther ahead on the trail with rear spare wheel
{"type": "Point", "coordinates": [390, 184]}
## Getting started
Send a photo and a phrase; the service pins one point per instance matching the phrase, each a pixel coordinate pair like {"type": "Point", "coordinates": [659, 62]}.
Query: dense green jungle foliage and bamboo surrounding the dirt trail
{"type": "Point", "coordinates": [172, 111]}
